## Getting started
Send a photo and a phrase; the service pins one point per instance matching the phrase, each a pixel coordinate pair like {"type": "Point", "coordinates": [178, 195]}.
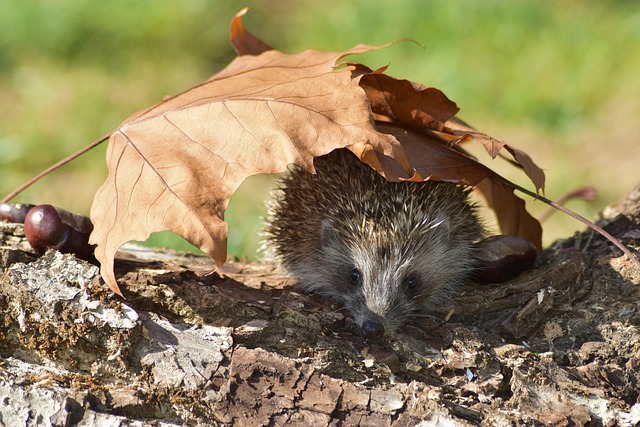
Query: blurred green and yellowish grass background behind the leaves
{"type": "Point", "coordinates": [558, 79]}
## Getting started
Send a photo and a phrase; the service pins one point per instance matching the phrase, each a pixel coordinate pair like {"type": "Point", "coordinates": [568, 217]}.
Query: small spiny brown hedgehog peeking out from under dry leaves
{"type": "Point", "coordinates": [388, 252]}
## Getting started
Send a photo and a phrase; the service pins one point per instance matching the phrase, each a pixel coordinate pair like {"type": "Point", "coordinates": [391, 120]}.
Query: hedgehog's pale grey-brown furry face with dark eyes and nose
{"type": "Point", "coordinates": [384, 285]}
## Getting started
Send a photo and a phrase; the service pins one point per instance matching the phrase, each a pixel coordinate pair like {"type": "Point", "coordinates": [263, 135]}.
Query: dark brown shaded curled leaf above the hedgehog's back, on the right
{"type": "Point", "coordinates": [427, 129]}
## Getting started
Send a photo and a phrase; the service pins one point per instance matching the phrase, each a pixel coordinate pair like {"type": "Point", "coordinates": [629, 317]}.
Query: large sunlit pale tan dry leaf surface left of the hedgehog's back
{"type": "Point", "coordinates": [175, 165]}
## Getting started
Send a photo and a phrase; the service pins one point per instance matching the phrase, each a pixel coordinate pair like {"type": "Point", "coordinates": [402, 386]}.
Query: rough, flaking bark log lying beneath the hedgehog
{"type": "Point", "coordinates": [559, 345]}
